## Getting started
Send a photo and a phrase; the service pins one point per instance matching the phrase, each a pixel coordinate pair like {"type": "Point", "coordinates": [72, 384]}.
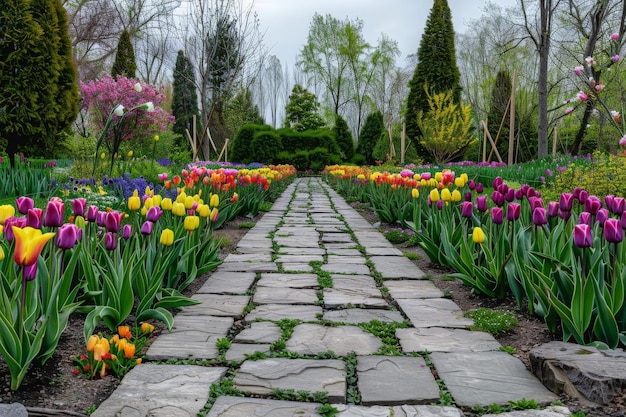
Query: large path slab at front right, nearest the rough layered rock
{"type": "Point", "coordinates": [484, 378]}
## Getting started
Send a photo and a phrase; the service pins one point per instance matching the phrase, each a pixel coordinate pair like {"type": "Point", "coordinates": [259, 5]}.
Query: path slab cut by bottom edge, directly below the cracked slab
{"type": "Point", "coordinates": [226, 406]}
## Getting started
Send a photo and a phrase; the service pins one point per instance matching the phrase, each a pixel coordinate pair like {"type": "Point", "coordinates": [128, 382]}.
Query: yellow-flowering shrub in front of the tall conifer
{"type": "Point", "coordinates": [447, 128]}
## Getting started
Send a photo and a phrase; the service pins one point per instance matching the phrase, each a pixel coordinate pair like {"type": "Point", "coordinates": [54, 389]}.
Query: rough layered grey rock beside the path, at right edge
{"type": "Point", "coordinates": [596, 375]}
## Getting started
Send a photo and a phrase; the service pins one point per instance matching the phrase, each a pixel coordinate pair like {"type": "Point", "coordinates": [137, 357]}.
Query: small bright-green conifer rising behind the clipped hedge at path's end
{"type": "Point", "coordinates": [302, 111]}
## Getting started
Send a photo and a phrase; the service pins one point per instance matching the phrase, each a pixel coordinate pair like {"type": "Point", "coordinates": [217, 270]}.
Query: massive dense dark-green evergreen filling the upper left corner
{"type": "Point", "coordinates": [39, 92]}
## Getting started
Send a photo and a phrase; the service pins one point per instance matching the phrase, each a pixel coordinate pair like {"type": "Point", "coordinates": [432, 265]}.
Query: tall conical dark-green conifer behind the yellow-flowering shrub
{"type": "Point", "coordinates": [436, 69]}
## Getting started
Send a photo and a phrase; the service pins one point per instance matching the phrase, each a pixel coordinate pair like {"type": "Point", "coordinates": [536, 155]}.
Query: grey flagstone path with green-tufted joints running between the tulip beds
{"type": "Point", "coordinates": [303, 282]}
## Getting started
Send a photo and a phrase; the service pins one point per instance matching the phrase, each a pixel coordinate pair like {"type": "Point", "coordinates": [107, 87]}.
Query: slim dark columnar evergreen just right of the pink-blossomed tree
{"type": "Point", "coordinates": [184, 98]}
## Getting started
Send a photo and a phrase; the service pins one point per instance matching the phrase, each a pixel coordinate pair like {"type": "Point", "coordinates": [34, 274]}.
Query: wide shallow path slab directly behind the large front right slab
{"type": "Point", "coordinates": [439, 339]}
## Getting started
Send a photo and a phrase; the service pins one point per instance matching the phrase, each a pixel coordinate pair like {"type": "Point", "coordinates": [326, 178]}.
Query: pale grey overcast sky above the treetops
{"type": "Point", "coordinates": [286, 22]}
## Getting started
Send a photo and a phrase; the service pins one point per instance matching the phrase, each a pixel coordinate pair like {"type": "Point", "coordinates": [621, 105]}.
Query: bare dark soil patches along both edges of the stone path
{"type": "Point", "coordinates": [53, 389]}
